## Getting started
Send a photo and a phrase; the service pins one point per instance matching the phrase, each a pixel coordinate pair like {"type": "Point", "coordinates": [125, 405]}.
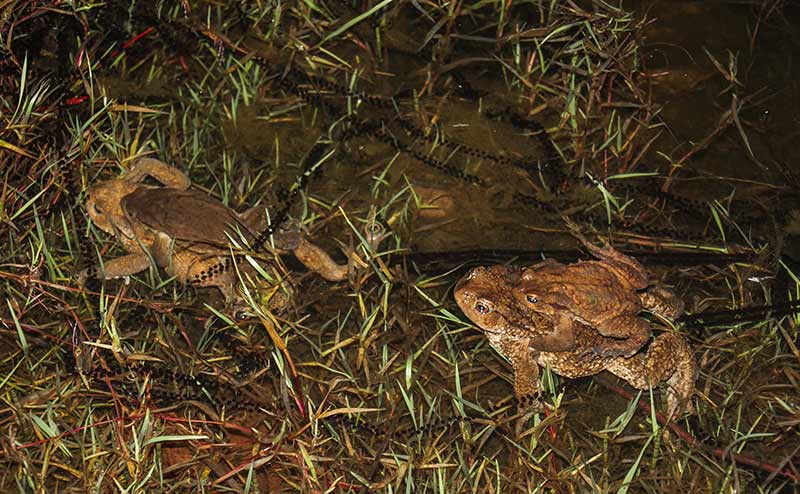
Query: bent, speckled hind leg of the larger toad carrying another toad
{"type": "Point", "coordinates": [669, 358]}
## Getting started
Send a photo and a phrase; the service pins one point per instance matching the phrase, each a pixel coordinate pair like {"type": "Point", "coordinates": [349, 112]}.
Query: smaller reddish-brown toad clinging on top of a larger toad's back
{"type": "Point", "coordinates": [606, 295]}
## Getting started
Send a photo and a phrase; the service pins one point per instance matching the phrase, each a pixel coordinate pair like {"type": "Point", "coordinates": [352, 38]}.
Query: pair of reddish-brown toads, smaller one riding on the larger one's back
{"type": "Point", "coordinates": [580, 319]}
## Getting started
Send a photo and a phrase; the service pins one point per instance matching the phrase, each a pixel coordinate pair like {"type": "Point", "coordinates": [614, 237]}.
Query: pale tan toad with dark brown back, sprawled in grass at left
{"type": "Point", "coordinates": [184, 231]}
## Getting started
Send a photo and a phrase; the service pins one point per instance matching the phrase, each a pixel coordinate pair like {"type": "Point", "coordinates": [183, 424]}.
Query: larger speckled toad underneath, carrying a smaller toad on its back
{"type": "Point", "coordinates": [485, 295]}
